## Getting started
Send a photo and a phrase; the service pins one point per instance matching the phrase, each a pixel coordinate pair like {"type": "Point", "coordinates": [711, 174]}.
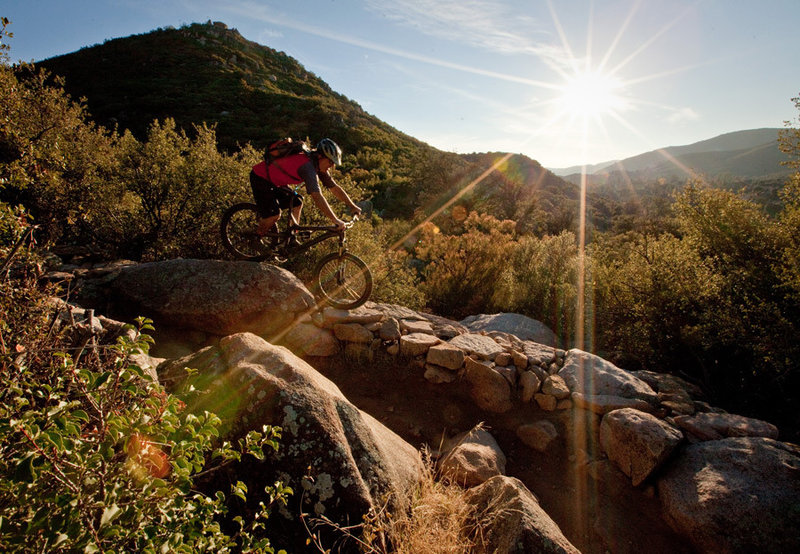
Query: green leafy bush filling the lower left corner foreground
{"type": "Point", "coordinates": [94, 454]}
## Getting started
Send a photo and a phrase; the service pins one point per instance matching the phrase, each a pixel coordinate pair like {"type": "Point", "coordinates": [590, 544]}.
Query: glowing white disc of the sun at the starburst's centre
{"type": "Point", "coordinates": [590, 93]}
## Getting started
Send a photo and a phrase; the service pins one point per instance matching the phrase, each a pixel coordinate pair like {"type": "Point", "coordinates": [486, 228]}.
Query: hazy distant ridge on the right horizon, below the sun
{"type": "Point", "coordinates": [750, 154]}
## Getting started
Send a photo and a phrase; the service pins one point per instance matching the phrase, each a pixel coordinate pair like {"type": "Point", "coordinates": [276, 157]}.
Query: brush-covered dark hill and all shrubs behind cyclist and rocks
{"type": "Point", "coordinates": [698, 281]}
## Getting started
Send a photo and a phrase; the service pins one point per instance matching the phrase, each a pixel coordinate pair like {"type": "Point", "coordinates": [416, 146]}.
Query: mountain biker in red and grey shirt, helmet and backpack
{"type": "Point", "coordinates": [270, 184]}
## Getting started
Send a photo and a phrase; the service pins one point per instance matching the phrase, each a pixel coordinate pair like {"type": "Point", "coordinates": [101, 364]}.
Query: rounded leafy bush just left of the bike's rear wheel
{"type": "Point", "coordinates": [172, 191]}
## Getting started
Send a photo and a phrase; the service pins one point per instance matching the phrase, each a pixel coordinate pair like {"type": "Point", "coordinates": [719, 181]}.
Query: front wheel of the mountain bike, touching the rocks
{"type": "Point", "coordinates": [342, 280]}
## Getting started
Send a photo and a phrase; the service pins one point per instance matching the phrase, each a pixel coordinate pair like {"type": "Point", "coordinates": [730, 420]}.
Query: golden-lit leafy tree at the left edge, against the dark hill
{"type": "Point", "coordinates": [52, 159]}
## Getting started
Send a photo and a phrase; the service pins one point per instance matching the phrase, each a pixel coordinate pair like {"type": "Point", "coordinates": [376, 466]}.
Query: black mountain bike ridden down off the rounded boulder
{"type": "Point", "coordinates": [340, 279]}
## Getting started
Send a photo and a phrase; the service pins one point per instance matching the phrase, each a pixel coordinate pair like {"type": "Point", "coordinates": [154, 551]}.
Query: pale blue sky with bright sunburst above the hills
{"type": "Point", "coordinates": [564, 82]}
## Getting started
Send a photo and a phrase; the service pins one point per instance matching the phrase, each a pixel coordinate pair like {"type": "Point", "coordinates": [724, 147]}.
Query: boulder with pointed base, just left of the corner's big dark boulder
{"type": "Point", "coordinates": [637, 442]}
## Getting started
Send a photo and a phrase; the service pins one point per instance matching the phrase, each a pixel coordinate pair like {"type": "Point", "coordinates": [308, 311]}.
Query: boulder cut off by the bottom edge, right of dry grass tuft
{"type": "Point", "coordinates": [514, 522]}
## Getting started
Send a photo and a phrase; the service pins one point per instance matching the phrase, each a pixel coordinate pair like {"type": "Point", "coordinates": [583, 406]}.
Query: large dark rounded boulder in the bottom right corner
{"type": "Point", "coordinates": [735, 495]}
